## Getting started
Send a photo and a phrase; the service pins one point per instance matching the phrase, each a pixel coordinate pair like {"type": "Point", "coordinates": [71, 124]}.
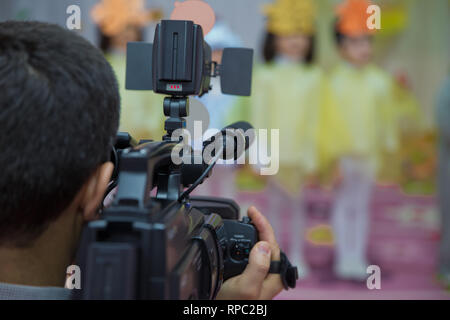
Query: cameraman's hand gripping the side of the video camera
{"type": "Point", "coordinates": [255, 282]}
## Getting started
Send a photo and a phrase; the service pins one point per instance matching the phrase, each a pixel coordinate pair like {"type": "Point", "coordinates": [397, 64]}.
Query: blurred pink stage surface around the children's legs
{"type": "Point", "coordinates": [404, 241]}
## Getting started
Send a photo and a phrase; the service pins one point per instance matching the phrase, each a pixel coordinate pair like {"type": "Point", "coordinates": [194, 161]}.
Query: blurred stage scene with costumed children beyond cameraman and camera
{"type": "Point", "coordinates": [364, 125]}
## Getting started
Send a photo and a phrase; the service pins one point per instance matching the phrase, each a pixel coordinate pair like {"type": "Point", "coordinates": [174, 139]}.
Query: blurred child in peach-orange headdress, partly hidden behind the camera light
{"type": "Point", "coordinates": [120, 22]}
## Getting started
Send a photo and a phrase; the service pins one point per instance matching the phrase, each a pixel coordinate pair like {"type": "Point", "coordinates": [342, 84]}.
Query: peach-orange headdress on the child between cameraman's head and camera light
{"type": "Point", "coordinates": [113, 16]}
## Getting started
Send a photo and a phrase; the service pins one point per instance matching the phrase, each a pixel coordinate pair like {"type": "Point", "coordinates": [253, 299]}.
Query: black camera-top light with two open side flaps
{"type": "Point", "coordinates": [178, 63]}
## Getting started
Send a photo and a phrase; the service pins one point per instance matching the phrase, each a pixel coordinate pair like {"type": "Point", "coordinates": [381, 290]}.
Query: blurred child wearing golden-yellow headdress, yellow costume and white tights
{"type": "Point", "coordinates": [286, 96]}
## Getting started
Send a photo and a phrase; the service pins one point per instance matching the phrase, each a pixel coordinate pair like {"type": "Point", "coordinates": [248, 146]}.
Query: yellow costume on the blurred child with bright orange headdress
{"type": "Point", "coordinates": [364, 112]}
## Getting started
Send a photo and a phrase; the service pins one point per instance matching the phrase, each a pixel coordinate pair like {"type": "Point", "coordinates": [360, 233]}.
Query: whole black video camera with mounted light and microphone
{"type": "Point", "coordinates": [156, 241]}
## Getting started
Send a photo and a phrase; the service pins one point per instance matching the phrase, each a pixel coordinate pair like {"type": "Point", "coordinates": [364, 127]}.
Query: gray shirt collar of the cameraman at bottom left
{"type": "Point", "coordinates": [20, 292]}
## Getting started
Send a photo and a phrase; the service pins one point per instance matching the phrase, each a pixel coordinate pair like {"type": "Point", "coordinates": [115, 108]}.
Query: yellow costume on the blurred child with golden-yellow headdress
{"type": "Point", "coordinates": [288, 97]}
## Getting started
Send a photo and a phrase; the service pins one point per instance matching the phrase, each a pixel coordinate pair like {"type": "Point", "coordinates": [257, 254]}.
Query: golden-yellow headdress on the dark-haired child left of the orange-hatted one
{"type": "Point", "coordinates": [288, 17]}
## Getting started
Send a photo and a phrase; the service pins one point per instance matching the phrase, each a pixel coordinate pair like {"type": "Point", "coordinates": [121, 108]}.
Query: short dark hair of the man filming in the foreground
{"type": "Point", "coordinates": [59, 114]}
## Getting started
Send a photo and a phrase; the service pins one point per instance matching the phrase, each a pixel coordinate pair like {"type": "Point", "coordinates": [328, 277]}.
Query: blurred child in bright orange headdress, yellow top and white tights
{"type": "Point", "coordinates": [362, 96]}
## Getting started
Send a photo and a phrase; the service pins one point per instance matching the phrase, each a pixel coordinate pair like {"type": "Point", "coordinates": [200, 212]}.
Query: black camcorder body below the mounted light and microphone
{"type": "Point", "coordinates": [148, 247]}
